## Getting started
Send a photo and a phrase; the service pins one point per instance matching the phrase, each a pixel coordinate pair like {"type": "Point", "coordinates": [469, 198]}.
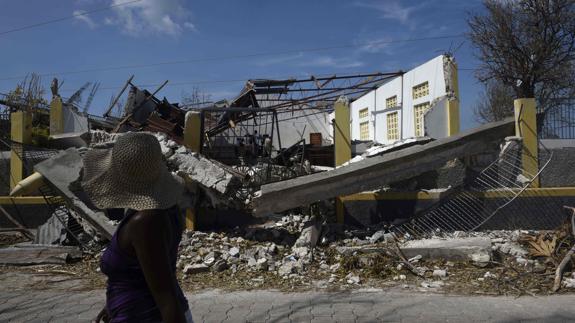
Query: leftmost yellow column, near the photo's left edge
{"type": "Point", "coordinates": [21, 132]}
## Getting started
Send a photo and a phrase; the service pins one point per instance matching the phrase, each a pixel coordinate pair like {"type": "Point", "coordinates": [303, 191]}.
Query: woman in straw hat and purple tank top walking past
{"type": "Point", "coordinates": [140, 261]}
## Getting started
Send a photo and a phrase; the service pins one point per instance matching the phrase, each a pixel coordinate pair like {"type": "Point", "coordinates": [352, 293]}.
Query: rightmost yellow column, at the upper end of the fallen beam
{"type": "Point", "coordinates": [526, 128]}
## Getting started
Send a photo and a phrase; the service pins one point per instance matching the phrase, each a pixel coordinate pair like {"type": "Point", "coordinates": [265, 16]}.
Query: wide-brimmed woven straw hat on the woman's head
{"type": "Point", "coordinates": [131, 175]}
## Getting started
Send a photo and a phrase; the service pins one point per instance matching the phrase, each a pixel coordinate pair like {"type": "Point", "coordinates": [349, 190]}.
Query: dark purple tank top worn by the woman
{"type": "Point", "coordinates": [128, 298]}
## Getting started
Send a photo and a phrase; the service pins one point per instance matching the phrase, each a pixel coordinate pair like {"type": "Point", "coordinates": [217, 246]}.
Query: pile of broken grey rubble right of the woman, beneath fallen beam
{"type": "Point", "coordinates": [269, 256]}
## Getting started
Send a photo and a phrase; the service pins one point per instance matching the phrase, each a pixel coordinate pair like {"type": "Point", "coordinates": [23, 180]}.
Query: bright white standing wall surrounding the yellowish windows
{"type": "Point", "coordinates": [431, 71]}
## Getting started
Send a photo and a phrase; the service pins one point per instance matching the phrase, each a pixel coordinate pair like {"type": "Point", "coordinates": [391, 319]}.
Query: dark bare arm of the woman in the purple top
{"type": "Point", "coordinates": [150, 236]}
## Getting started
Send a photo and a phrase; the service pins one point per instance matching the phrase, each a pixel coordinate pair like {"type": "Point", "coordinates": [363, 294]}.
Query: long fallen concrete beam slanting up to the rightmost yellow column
{"type": "Point", "coordinates": [373, 173]}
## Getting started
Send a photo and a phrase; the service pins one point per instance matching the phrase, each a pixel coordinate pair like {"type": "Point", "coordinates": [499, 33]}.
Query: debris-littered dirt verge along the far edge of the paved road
{"type": "Point", "coordinates": [463, 278]}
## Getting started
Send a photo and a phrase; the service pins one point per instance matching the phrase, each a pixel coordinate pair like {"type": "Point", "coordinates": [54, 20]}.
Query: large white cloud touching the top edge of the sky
{"type": "Point", "coordinates": [167, 17]}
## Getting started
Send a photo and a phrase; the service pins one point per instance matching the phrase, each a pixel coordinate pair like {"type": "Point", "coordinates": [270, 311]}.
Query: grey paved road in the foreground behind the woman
{"type": "Point", "coordinates": [270, 306]}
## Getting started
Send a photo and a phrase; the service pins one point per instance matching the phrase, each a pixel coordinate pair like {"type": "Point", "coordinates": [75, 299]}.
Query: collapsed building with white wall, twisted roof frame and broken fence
{"type": "Point", "coordinates": [380, 152]}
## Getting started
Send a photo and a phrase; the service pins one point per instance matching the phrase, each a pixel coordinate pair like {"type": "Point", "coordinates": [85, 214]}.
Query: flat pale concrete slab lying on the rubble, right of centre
{"type": "Point", "coordinates": [477, 249]}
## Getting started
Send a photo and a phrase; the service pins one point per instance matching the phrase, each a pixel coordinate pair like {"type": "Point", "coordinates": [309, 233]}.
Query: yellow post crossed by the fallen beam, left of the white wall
{"type": "Point", "coordinates": [342, 144]}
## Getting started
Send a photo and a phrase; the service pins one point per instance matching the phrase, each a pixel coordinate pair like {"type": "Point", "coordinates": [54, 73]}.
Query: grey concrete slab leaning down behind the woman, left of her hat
{"type": "Point", "coordinates": [62, 173]}
